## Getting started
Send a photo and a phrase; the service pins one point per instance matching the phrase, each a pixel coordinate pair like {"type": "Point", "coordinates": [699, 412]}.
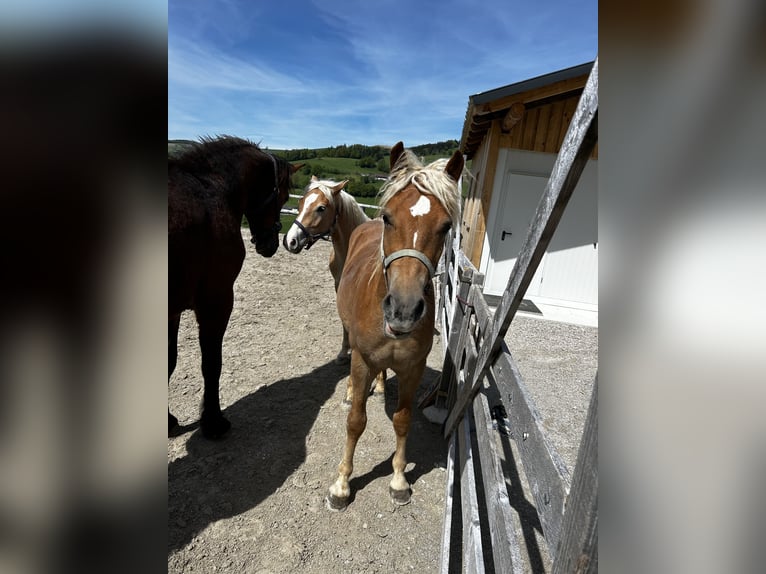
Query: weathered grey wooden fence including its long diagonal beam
{"type": "Point", "coordinates": [482, 390]}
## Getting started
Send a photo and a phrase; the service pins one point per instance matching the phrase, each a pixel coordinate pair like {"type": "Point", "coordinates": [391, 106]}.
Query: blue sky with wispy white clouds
{"type": "Point", "coordinates": [293, 74]}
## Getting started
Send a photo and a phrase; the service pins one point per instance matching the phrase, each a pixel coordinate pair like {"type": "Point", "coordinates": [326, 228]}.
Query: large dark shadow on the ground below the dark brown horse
{"type": "Point", "coordinates": [266, 444]}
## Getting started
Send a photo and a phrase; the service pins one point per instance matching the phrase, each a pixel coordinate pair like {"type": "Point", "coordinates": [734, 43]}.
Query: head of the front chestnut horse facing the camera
{"type": "Point", "coordinates": [419, 205]}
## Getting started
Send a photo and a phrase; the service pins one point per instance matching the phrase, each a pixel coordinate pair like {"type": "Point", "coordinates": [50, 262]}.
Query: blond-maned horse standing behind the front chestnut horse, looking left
{"type": "Point", "coordinates": [326, 211]}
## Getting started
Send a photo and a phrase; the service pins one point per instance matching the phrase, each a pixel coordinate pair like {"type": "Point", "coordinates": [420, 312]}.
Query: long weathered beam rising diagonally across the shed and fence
{"type": "Point", "coordinates": [581, 137]}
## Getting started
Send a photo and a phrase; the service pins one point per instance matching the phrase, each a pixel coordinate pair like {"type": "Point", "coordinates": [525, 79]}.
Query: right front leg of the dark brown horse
{"type": "Point", "coordinates": [212, 326]}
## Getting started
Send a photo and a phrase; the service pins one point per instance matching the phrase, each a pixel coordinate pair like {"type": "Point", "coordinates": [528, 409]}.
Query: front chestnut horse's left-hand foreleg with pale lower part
{"type": "Point", "coordinates": [361, 379]}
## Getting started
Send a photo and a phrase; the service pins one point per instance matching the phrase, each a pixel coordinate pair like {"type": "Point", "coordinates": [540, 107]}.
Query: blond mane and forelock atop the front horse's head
{"type": "Point", "coordinates": [430, 179]}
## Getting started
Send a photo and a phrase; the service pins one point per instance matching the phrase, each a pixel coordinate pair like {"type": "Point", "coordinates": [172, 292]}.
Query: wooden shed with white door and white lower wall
{"type": "Point", "coordinates": [512, 135]}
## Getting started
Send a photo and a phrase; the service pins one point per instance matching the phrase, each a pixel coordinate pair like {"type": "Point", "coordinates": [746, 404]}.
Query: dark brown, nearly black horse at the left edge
{"type": "Point", "coordinates": [210, 187]}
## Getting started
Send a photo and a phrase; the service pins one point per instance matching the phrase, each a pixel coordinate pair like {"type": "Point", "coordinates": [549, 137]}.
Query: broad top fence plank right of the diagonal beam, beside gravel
{"type": "Point", "coordinates": [544, 469]}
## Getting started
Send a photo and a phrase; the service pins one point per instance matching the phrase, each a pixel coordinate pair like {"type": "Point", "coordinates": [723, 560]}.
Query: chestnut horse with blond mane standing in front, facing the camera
{"type": "Point", "coordinates": [386, 298]}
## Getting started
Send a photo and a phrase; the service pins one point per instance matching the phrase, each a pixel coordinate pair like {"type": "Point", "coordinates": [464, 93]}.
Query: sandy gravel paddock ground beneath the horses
{"type": "Point", "coordinates": [254, 502]}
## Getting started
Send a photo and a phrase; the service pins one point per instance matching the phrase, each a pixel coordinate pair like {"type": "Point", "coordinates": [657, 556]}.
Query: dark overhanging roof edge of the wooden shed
{"type": "Point", "coordinates": [487, 106]}
